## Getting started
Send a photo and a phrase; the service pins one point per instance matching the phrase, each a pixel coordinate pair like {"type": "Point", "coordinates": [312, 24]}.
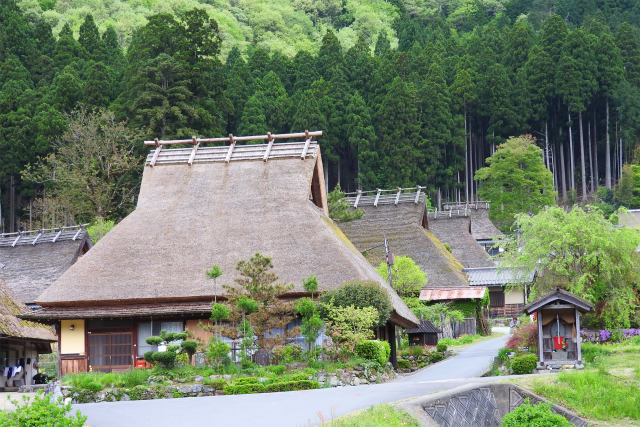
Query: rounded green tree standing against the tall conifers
{"type": "Point", "coordinates": [515, 181]}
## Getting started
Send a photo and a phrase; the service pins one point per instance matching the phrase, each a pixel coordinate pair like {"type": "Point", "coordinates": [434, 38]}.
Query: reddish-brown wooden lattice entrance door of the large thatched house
{"type": "Point", "coordinates": [110, 351]}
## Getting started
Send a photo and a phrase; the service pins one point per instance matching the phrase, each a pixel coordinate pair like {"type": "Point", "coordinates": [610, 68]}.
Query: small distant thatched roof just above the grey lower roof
{"type": "Point", "coordinates": [456, 232]}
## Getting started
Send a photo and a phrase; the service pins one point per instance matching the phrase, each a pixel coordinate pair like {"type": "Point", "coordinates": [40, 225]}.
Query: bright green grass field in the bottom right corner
{"type": "Point", "coordinates": [608, 389]}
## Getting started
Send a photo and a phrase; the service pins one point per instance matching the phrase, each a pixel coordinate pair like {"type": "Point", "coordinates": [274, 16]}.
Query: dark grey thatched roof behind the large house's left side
{"type": "Point", "coordinates": [31, 261]}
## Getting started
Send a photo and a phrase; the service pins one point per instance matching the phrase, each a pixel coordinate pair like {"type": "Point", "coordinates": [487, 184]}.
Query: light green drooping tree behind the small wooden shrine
{"type": "Point", "coordinates": [582, 252]}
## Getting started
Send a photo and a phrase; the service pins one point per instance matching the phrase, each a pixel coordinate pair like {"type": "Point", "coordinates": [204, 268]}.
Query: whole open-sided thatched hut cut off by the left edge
{"type": "Point", "coordinates": [20, 340]}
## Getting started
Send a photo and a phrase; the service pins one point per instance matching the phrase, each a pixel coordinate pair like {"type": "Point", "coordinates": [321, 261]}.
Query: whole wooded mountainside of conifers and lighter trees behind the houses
{"type": "Point", "coordinates": [421, 95]}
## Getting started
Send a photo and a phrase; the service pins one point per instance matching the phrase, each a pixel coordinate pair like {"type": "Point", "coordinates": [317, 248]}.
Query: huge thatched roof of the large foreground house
{"type": "Point", "coordinates": [213, 212]}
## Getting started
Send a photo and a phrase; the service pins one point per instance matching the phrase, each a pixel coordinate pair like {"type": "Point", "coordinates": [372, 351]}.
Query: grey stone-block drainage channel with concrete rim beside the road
{"type": "Point", "coordinates": [476, 405]}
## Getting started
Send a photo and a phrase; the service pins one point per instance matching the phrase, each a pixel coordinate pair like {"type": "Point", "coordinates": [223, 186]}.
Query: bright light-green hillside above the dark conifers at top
{"type": "Point", "coordinates": [277, 25]}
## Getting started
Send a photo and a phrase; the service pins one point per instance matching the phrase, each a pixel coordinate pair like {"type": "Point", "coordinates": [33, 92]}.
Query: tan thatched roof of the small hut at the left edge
{"type": "Point", "coordinates": [11, 326]}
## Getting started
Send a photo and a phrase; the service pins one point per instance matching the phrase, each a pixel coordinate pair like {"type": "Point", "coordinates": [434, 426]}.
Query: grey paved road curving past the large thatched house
{"type": "Point", "coordinates": [296, 408]}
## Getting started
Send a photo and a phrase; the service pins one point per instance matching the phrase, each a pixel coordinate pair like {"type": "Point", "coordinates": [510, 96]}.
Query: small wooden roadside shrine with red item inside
{"type": "Point", "coordinates": [558, 317]}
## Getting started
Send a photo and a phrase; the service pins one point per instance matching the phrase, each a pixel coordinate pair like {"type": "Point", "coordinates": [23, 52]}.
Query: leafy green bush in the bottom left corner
{"type": "Point", "coordinates": [41, 410]}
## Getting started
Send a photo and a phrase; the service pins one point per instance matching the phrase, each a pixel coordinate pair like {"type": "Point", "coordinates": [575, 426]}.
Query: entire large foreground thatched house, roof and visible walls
{"type": "Point", "coordinates": [200, 206]}
